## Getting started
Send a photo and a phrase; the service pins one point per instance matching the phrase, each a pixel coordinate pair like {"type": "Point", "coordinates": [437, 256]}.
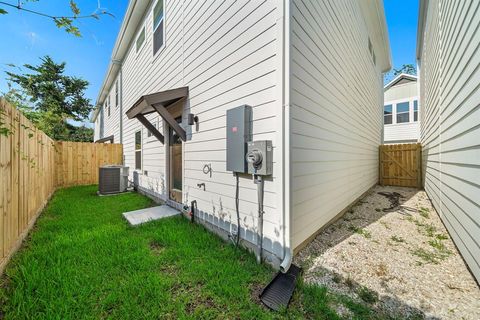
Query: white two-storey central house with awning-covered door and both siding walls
{"type": "Point", "coordinates": [311, 70]}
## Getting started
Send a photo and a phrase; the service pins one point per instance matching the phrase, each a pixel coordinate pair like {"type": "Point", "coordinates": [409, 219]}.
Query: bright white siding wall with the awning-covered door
{"type": "Point", "coordinates": [226, 52]}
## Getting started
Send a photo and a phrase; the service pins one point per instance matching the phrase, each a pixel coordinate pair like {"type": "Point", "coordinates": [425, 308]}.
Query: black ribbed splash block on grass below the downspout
{"type": "Point", "coordinates": [277, 294]}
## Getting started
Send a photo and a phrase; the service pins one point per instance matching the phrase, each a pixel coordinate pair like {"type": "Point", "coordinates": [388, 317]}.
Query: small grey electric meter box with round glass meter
{"type": "Point", "coordinates": [260, 157]}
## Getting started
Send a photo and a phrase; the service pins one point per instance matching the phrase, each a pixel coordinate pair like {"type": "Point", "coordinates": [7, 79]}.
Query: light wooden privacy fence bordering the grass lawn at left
{"type": "Point", "coordinates": [32, 166]}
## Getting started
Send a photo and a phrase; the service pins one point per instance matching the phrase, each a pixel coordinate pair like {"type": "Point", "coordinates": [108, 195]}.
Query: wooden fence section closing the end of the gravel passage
{"type": "Point", "coordinates": [401, 165]}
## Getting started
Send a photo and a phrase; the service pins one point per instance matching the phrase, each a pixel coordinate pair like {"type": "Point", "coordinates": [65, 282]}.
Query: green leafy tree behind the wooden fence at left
{"type": "Point", "coordinates": [50, 99]}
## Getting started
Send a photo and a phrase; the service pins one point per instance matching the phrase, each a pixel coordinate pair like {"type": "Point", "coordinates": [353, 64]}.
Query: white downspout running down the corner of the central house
{"type": "Point", "coordinates": [287, 243]}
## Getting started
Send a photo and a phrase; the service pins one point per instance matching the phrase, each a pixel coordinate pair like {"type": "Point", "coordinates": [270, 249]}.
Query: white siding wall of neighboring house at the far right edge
{"type": "Point", "coordinates": [448, 59]}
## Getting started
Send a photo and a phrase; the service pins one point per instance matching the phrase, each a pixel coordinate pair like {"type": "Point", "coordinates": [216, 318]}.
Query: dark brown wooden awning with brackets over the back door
{"type": "Point", "coordinates": [160, 102]}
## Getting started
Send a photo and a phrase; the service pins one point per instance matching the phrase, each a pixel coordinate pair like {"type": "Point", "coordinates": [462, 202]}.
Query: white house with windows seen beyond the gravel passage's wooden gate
{"type": "Point", "coordinates": [401, 111]}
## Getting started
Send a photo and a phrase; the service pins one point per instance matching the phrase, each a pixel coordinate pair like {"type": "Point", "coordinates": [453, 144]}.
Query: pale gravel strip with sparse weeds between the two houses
{"type": "Point", "coordinates": [392, 252]}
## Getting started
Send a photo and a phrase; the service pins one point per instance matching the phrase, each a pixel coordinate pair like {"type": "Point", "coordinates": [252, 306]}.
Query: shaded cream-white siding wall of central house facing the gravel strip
{"type": "Point", "coordinates": [336, 113]}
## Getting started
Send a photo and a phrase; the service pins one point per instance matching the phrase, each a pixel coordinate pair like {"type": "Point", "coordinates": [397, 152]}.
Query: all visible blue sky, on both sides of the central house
{"type": "Point", "coordinates": [26, 37]}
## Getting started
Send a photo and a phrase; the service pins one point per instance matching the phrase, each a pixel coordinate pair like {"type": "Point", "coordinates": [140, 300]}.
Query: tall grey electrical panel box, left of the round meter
{"type": "Point", "coordinates": [239, 132]}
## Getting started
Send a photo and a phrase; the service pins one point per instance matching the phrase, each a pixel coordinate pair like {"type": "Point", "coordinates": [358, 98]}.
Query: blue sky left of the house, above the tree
{"type": "Point", "coordinates": [30, 37]}
